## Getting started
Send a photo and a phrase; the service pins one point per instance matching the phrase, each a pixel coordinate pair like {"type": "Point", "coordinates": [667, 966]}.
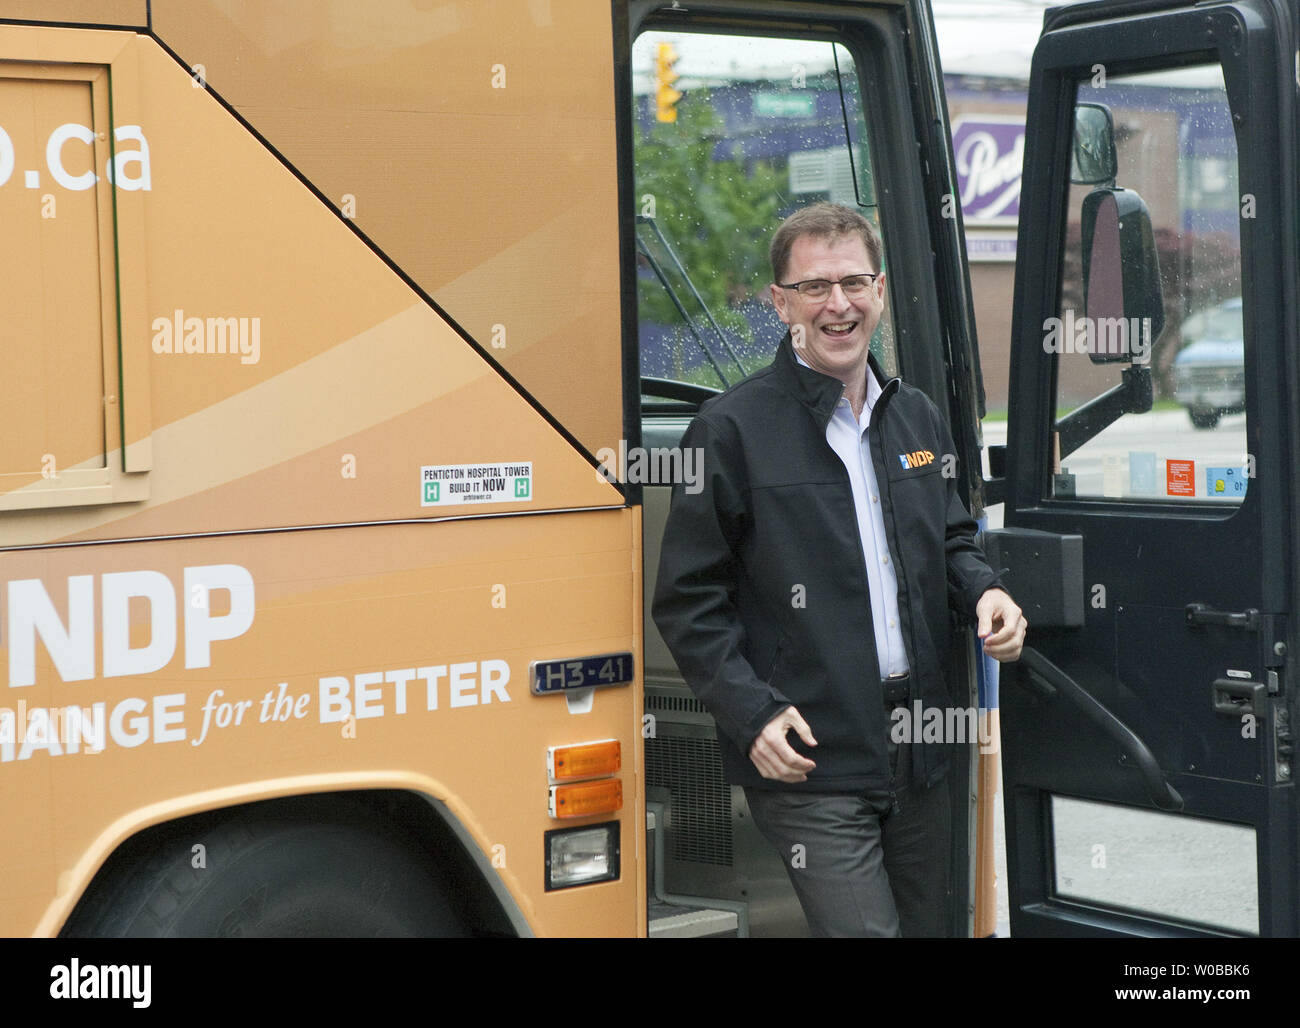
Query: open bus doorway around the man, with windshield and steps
{"type": "Point", "coordinates": [743, 112]}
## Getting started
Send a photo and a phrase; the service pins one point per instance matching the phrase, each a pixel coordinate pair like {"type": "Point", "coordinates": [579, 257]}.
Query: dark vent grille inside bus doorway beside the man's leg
{"type": "Point", "coordinates": [692, 770]}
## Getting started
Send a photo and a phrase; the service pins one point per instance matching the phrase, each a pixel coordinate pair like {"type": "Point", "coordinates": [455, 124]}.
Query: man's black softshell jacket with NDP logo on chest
{"type": "Point", "coordinates": [762, 593]}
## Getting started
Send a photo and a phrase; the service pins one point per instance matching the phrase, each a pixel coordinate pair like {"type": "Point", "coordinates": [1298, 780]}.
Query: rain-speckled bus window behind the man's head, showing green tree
{"type": "Point", "coordinates": [734, 135]}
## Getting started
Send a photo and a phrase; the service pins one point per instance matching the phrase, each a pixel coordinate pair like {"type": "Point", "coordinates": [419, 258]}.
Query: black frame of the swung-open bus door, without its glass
{"type": "Point", "coordinates": [1048, 747]}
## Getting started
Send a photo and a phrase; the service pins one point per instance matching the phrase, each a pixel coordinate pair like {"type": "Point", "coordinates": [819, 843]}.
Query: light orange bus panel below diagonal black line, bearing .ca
{"type": "Point", "coordinates": [345, 384]}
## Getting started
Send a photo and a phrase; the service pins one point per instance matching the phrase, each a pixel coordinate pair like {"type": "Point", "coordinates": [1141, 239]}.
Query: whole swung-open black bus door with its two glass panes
{"type": "Point", "coordinates": [1151, 488]}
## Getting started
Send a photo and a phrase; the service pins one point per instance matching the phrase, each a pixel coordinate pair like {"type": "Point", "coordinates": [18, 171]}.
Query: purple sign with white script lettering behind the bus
{"type": "Point", "coordinates": [990, 153]}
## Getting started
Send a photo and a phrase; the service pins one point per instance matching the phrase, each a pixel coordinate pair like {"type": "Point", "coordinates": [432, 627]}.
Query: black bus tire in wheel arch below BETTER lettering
{"type": "Point", "coordinates": [271, 871]}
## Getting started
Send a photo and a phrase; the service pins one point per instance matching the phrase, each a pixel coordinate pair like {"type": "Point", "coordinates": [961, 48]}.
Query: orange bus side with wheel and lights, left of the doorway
{"type": "Point", "coordinates": [309, 365]}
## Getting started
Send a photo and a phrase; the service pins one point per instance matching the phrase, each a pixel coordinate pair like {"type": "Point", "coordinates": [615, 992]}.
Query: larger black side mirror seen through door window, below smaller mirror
{"type": "Point", "coordinates": [1123, 297]}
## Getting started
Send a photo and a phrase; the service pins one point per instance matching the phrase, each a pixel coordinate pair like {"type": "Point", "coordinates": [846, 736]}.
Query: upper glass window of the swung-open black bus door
{"type": "Point", "coordinates": [1186, 441]}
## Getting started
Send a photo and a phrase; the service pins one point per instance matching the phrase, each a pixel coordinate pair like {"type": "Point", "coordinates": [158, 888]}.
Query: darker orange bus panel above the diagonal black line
{"type": "Point", "coordinates": [478, 144]}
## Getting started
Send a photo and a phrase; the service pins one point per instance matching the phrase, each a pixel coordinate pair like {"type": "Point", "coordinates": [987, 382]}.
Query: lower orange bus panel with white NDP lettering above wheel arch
{"type": "Point", "coordinates": [352, 636]}
